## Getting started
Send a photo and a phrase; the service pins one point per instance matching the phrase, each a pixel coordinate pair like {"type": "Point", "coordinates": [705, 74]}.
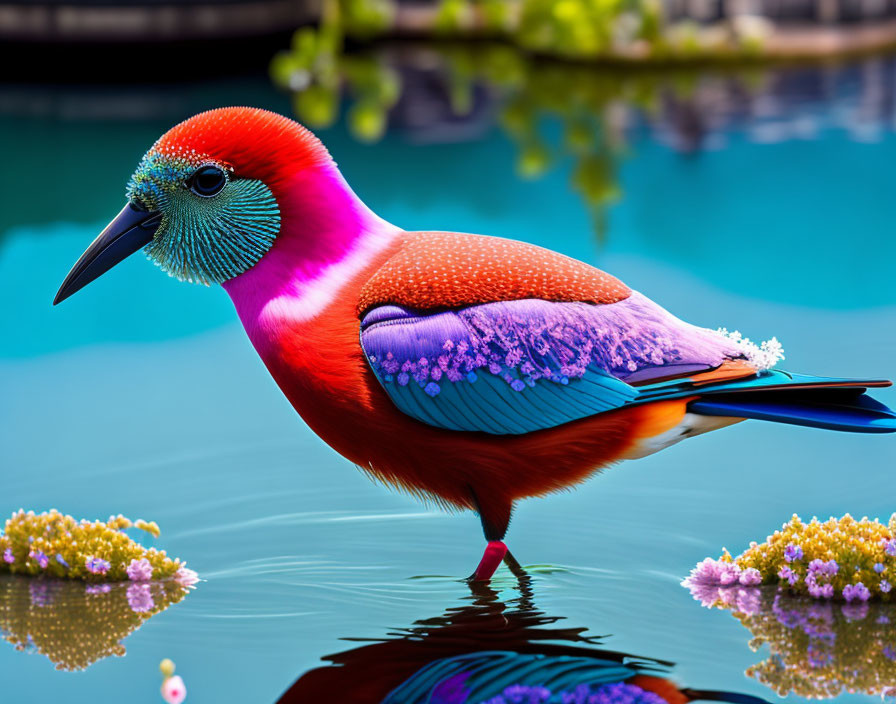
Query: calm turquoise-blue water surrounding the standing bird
{"type": "Point", "coordinates": [143, 396]}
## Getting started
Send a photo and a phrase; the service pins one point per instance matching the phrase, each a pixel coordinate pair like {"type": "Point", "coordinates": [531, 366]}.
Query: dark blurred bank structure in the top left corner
{"type": "Point", "coordinates": [94, 41]}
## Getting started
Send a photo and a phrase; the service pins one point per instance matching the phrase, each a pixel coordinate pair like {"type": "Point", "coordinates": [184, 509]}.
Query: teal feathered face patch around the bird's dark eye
{"type": "Point", "coordinates": [214, 226]}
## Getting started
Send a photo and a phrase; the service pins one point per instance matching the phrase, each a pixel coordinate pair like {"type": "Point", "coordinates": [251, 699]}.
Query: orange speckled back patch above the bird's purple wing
{"type": "Point", "coordinates": [452, 270]}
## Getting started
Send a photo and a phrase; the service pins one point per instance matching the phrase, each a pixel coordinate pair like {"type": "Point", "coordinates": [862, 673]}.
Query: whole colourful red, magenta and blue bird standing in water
{"type": "Point", "coordinates": [469, 370]}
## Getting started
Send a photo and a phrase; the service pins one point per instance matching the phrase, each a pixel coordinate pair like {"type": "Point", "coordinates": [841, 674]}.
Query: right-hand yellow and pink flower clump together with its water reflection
{"type": "Point", "coordinates": [819, 646]}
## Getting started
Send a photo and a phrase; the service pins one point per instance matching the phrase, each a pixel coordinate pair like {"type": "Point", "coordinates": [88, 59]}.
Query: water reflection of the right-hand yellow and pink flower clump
{"type": "Point", "coordinates": [817, 648]}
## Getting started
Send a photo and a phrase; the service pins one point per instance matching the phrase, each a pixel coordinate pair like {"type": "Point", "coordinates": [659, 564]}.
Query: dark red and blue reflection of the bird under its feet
{"type": "Point", "coordinates": [493, 652]}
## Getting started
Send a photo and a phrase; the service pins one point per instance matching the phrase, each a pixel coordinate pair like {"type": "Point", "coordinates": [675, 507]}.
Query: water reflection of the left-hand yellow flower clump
{"type": "Point", "coordinates": [75, 624]}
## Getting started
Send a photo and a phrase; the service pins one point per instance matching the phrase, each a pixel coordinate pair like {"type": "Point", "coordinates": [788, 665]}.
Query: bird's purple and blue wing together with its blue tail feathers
{"type": "Point", "coordinates": [521, 366]}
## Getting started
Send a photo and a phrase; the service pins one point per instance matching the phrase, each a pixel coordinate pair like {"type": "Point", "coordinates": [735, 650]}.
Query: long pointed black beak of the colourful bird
{"type": "Point", "coordinates": [131, 229]}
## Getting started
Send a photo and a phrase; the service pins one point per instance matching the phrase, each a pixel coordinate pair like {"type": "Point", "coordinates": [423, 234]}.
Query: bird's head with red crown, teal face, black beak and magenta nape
{"type": "Point", "coordinates": [211, 196]}
